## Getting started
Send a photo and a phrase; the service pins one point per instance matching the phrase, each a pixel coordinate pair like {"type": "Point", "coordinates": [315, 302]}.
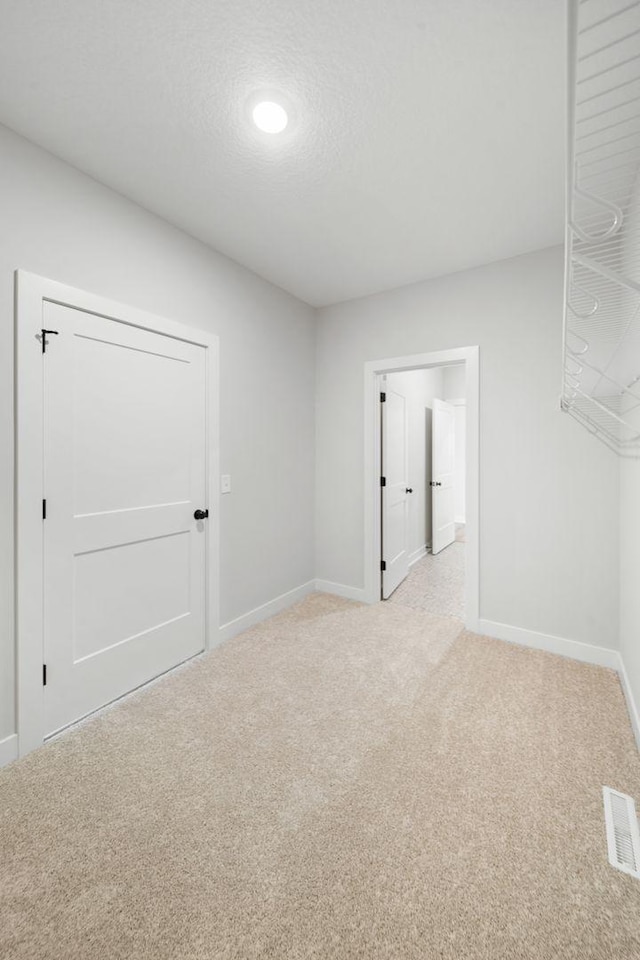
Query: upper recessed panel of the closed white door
{"type": "Point", "coordinates": [140, 429]}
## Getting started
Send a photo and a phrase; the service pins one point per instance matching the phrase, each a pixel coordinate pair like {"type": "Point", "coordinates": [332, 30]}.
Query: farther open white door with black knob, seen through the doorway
{"type": "Point", "coordinates": [442, 475]}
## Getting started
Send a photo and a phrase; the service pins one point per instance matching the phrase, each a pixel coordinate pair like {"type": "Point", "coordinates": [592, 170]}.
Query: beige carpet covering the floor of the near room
{"type": "Point", "coordinates": [340, 783]}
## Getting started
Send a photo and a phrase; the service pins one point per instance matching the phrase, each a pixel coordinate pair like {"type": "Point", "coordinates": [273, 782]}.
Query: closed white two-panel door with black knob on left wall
{"type": "Point", "coordinates": [125, 470]}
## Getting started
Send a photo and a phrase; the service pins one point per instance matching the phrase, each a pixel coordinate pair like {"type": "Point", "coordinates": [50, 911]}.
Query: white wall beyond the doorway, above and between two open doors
{"type": "Point", "coordinates": [419, 387]}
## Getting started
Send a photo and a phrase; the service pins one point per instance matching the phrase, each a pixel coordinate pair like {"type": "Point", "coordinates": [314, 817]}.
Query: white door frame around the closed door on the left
{"type": "Point", "coordinates": [31, 292]}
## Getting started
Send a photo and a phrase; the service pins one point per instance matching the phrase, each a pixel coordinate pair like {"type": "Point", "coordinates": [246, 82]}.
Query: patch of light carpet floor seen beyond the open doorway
{"type": "Point", "coordinates": [435, 584]}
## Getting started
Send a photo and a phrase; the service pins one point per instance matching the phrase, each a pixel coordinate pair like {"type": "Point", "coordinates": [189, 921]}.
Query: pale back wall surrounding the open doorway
{"type": "Point", "coordinates": [548, 510]}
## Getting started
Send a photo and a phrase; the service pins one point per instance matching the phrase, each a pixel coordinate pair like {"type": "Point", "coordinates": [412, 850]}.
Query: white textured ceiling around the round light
{"type": "Point", "coordinates": [426, 136]}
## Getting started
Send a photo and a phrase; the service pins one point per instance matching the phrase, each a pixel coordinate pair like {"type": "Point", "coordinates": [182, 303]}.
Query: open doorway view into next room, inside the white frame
{"type": "Point", "coordinates": [422, 481]}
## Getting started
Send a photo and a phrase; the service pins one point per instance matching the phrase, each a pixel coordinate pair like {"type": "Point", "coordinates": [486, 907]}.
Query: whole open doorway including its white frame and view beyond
{"type": "Point", "coordinates": [421, 482]}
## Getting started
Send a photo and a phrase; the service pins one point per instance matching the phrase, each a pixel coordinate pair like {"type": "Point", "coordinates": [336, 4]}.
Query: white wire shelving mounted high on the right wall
{"type": "Point", "coordinates": [601, 336]}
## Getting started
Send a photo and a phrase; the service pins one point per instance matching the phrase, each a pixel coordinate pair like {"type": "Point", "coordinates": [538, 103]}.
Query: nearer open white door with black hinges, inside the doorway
{"type": "Point", "coordinates": [395, 510]}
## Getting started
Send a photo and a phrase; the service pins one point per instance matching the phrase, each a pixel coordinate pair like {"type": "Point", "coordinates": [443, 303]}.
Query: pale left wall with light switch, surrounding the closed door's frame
{"type": "Point", "coordinates": [61, 224]}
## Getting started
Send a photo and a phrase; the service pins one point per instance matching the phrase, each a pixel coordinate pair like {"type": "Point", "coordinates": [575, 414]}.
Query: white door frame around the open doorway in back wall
{"type": "Point", "coordinates": [373, 371]}
